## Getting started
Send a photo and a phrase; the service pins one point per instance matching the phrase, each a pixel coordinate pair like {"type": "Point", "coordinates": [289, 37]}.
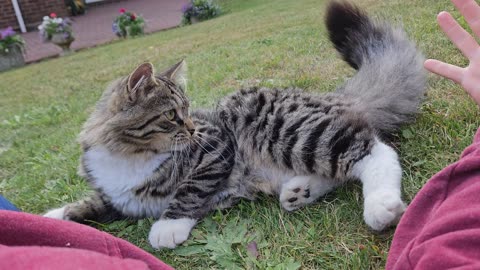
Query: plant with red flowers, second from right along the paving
{"type": "Point", "coordinates": [128, 24]}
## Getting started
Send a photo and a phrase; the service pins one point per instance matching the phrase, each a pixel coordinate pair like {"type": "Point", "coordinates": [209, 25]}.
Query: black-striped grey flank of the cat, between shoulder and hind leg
{"type": "Point", "coordinates": [297, 131]}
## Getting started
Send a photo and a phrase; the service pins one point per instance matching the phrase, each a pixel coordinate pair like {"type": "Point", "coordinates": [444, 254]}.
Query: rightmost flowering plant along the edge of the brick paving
{"type": "Point", "coordinates": [199, 10]}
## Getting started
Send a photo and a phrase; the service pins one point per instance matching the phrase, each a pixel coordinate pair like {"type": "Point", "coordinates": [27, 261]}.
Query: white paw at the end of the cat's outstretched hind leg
{"type": "Point", "coordinates": [383, 209]}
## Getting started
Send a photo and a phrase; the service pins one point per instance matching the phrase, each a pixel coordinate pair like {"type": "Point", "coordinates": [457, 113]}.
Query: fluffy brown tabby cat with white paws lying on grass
{"type": "Point", "coordinates": [144, 155]}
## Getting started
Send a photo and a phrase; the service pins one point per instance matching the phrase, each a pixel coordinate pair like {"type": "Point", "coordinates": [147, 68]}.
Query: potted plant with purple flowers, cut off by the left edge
{"type": "Point", "coordinates": [11, 49]}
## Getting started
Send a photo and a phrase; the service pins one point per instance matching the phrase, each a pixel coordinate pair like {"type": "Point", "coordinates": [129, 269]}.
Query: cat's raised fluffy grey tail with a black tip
{"type": "Point", "coordinates": [390, 82]}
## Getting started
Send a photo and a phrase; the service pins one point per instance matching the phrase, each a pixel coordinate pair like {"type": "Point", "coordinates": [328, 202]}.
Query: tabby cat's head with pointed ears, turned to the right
{"type": "Point", "coordinates": [151, 111]}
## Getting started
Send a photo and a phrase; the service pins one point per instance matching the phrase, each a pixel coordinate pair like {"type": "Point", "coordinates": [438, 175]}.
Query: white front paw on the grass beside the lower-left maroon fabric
{"type": "Point", "coordinates": [170, 232]}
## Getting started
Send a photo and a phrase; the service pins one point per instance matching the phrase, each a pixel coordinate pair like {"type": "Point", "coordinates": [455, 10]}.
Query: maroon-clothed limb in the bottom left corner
{"type": "Point", "coordinates": [34, 242]}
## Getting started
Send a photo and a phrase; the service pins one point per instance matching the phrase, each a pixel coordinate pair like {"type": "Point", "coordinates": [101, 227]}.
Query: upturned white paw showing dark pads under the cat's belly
{"type": "Point", "coordinates": [296, 194]}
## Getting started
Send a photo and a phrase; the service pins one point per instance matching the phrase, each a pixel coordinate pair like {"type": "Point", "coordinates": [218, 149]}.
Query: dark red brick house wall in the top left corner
{"type": "Point", "coordinates": [32, 12]}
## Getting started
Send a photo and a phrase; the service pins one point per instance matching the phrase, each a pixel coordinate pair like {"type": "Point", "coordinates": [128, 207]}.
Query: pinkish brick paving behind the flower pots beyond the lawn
{"type": "Point", "coordinates": [95, 27]}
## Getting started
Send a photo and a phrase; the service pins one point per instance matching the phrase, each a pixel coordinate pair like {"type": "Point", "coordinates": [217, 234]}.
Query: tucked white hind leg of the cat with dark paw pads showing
{"type": "Point", "coordinates": [301, 190]}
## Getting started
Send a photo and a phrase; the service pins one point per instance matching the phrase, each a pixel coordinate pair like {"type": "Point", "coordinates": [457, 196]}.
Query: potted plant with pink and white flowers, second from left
{"type": "Point", "coordinates": [58, 31]}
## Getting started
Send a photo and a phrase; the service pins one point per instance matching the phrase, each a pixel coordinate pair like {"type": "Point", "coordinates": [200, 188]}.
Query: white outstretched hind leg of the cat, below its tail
{"type": "Point", "coordinates": [381, 175]}
